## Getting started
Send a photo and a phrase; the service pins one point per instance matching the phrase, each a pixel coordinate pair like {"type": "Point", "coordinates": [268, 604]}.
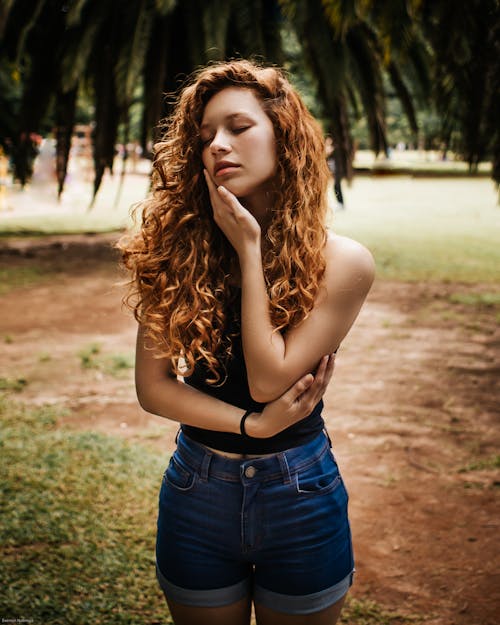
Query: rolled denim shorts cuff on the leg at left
{"type": "Point", "coordinates": [214, 598]}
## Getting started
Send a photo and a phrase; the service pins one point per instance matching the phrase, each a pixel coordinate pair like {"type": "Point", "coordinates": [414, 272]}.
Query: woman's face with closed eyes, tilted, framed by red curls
{"type": "Point", "coordinates": [239, 147]}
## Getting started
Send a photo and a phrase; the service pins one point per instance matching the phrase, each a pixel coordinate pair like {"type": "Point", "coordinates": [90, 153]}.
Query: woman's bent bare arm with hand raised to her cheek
{"type": "Point", "coordinates": [274, 360]}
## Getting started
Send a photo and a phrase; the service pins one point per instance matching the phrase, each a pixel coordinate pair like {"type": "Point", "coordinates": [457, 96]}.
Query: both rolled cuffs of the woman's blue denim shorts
{"type": "Point", "coordinates": [288, 604]}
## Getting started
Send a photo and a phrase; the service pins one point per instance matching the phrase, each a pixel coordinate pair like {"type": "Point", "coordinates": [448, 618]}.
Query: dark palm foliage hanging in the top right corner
{"type": "Point", "coordinates": [465, 39]}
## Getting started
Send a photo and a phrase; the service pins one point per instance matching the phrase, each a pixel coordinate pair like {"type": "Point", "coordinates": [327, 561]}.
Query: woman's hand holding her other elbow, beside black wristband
{"type": "Point", "coordinates": [295, 404]}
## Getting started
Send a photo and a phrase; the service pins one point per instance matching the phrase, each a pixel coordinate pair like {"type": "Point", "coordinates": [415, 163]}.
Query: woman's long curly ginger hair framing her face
{"type": "Point", "coordinates": [180, 260]}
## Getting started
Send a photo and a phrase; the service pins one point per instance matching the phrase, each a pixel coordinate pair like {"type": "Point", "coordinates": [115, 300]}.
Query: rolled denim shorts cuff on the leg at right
{"type": "Point", "coordinates": [303, 604]}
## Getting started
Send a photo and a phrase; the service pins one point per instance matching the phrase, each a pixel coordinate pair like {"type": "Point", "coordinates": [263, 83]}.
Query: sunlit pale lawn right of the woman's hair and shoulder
{"type": "Point", "coordinates": [425, 230]}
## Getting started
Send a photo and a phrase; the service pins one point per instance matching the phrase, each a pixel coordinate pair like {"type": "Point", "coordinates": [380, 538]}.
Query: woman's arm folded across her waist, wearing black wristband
{"type": "Point", "coordinates": [161, 393]}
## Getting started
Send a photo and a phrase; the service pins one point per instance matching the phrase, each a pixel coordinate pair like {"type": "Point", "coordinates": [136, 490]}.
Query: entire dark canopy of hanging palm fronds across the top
{"type": "Point", "coordinates": [142, 50]}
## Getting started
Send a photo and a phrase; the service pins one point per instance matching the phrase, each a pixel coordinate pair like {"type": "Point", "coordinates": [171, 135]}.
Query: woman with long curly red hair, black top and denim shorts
{"type": "Point", "coordinates": [242, 299]}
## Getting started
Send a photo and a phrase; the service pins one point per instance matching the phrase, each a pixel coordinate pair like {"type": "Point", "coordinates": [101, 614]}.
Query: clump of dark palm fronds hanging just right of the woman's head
{"type": "Point", "coordinates": [349, 46]}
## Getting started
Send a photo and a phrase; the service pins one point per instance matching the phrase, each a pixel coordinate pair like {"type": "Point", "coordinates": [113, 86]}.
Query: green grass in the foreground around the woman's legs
{"type": "Point", "coordinates": [78, 516]}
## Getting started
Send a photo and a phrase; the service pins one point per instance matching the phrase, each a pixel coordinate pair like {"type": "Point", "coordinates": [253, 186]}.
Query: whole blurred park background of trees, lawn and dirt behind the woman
{"type": "Point", "coordinates": [408, 92]}
